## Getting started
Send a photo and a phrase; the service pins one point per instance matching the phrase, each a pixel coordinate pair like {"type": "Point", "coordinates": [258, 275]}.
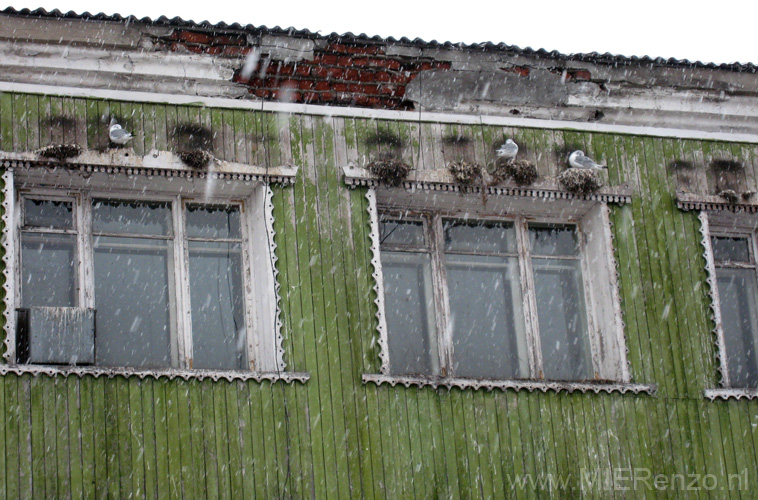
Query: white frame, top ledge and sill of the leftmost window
{"type": "Point", "coordinates": [249, 190]}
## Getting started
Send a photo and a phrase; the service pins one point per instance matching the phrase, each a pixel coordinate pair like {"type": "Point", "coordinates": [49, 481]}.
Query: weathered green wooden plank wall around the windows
{"type": "Point", "coordinates": [333, 437]}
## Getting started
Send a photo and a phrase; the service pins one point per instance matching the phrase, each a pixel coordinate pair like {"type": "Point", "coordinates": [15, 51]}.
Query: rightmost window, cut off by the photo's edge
{"type": "Point", "coordinates": [731, 256]}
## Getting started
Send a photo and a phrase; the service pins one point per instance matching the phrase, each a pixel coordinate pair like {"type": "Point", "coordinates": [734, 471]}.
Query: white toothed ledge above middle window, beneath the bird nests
{"type": "Point", "coordinates": [442, 181]}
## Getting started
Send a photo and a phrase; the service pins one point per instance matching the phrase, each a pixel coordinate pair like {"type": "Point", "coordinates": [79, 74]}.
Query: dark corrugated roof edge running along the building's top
{"type": "Point", "coordinates": [592, 57]}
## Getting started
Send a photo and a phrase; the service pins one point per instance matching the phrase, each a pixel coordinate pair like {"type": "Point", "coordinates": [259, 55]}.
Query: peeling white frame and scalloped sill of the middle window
{"type": "Point", "coordinates": [604, 318]}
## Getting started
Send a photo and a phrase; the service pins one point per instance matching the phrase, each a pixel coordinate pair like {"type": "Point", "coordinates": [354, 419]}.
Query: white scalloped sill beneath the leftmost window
{"type": "Point", "coordinates": [81, 371]}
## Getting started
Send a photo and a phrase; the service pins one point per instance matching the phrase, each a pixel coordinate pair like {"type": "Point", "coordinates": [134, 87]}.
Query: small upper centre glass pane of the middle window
{"type": "Point", "coordinates": [490, 237]}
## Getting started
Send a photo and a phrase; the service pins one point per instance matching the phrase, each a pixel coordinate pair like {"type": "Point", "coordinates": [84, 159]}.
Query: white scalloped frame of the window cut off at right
{"type": "Point", "coordinates": [725, 223]}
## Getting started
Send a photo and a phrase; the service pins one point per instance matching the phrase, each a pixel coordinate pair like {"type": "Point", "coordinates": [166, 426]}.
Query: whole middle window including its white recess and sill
{"type": "Point", "coordinates": [523, 299]}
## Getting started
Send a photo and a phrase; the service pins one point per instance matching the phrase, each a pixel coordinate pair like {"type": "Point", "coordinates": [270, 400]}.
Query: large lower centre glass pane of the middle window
{"type": "Point", "coordinates": [486, 317]}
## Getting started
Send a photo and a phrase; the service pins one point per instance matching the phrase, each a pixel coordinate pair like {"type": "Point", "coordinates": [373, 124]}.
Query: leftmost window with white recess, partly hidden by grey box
{"type": "Point", "coordinates": [179, 273]}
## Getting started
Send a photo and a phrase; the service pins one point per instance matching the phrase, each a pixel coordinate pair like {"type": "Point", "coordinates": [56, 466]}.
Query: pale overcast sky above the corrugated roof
{"type": "Point", "coordinates": [718, 32]}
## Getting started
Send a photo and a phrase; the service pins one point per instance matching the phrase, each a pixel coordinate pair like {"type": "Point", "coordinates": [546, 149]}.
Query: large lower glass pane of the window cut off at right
{"type": "Point", "coordinates": [738, 297]}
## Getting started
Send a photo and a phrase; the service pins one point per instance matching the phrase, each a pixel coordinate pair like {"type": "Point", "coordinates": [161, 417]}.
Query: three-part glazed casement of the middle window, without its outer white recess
{"type": "Point", "coordinates": [464, 278]}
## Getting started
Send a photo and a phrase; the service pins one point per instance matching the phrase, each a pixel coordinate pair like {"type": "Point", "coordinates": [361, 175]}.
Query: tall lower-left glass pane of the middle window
{"type": "Point", "coordinates": [409, 307]}
